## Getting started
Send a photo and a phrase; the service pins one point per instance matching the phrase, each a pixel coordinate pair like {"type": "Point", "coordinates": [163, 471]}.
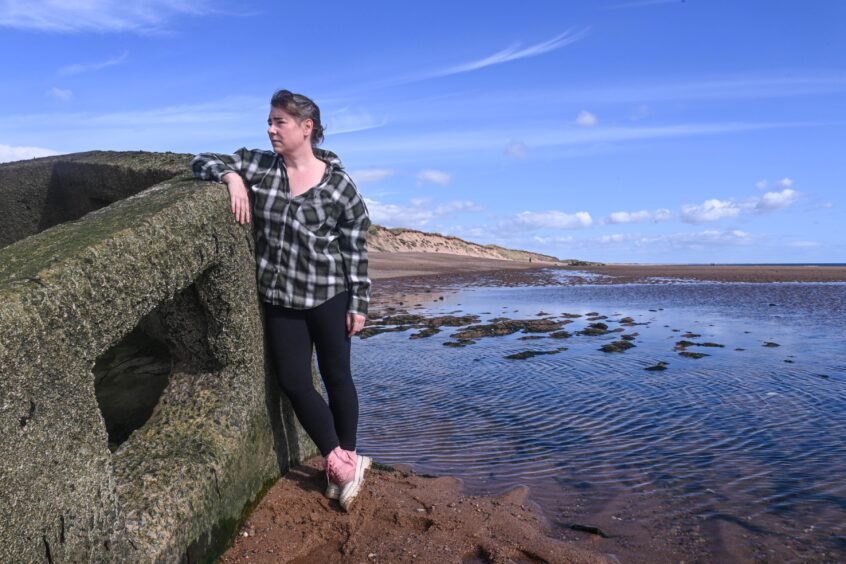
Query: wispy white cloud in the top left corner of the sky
{"type": "Point", "coordinates": [74, 16]}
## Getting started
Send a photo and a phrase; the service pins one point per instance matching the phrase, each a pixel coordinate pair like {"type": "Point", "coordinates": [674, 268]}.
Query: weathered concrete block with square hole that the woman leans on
{"type": "Point", "coordinates": [170, 263]}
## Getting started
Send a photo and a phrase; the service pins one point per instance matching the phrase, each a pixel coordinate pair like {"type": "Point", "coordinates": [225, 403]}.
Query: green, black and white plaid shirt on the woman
{"type": "Point", "coordinates": [311, 247]}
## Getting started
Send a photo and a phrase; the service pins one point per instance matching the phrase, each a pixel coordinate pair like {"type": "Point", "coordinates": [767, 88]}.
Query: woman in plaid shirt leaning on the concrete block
{"type": "Point", "coordinates": [311, 258]}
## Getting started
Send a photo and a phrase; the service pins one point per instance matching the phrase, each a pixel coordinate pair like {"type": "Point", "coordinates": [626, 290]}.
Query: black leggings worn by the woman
{"type": "Point", "coordinates": [292, 332]}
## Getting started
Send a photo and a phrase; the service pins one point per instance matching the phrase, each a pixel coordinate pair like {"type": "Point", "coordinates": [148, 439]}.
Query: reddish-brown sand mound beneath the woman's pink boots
{"type": "Point", "coordinates": [399, 516]}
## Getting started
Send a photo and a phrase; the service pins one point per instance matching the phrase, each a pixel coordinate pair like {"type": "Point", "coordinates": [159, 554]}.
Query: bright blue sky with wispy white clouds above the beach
{"type": "Point", "coordinates": [612, 130]}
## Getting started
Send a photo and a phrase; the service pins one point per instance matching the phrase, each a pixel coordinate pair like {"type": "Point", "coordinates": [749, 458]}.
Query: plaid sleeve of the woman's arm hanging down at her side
{"type": "Point", "coordinates": [353, 226]}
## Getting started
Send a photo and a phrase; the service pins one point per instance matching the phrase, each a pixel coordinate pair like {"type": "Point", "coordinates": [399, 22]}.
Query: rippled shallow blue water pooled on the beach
{"type": "Point", "coordinates": [739, 455]}
